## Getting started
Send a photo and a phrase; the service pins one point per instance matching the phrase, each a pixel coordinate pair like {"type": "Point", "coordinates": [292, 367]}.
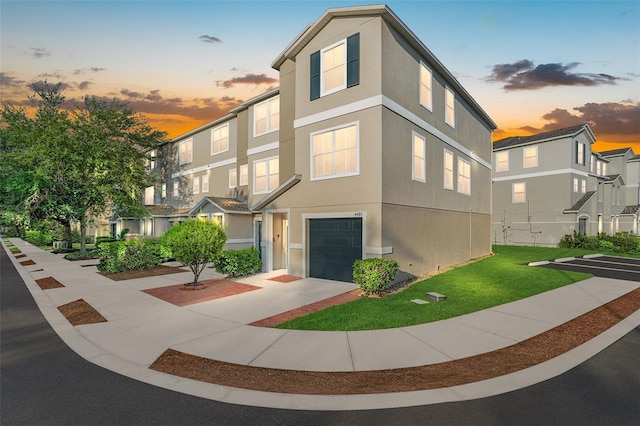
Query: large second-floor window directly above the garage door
{"type": "Point", "coordinates": [334, 153]}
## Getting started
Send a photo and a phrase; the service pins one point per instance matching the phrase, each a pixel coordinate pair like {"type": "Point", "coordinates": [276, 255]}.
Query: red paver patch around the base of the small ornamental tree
{"type": "Point", "coordinates": [215, 289]}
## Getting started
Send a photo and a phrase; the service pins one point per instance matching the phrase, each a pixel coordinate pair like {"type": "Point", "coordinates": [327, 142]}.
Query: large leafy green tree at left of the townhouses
{"type": "Point", "coordinates": [80, 161]}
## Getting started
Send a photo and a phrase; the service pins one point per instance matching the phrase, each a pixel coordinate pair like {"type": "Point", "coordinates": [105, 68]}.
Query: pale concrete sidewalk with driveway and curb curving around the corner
{"type": "Point", "coordinates": [140, 328]}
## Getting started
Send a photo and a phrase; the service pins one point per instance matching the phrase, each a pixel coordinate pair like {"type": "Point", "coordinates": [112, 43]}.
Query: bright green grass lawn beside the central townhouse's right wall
{"type": "Point", "coordinates": [492, 281]}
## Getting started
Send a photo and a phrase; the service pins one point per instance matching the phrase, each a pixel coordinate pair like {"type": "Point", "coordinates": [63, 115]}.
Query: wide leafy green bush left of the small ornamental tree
{"type": "Point", "coordinates": [131, 255]}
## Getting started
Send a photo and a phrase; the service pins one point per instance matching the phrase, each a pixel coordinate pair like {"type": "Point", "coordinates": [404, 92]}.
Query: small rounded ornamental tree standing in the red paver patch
{"type": "Point", "coordinates": [195, 243]}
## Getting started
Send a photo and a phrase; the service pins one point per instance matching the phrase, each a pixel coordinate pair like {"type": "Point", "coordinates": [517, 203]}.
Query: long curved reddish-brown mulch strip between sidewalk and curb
{"type": "Point", "coordinates": [522, 355]}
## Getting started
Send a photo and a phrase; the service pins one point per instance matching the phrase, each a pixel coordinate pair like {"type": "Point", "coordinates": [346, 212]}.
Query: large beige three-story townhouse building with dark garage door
{"type": "Point", "coordinates": [370, 147]}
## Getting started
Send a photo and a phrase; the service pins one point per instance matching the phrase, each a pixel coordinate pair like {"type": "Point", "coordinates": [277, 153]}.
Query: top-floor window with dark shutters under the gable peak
{"type": "Point", "coordinates": [335, 67]}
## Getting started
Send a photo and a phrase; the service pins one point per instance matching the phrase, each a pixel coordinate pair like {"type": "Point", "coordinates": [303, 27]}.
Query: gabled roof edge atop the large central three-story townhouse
{"type": "Point", "coordinates": [382, 10]}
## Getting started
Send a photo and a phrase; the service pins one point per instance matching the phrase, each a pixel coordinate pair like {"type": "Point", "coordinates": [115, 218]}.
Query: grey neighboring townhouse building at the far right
{"type": "Point", "coordinates": [552, 184]}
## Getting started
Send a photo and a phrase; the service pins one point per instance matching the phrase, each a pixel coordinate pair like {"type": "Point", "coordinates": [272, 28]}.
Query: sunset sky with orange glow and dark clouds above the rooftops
{"type": "Point", "coordinates": [532, 65]}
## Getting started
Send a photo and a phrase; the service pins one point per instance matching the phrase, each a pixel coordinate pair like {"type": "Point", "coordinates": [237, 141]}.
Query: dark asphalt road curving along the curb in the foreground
{"type": "Point", "coordinates": [43, 382]}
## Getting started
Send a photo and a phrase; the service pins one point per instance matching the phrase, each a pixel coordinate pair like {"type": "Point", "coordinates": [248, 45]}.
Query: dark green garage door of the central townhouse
{"type": "Point", "coordinates": [333, 246]}
